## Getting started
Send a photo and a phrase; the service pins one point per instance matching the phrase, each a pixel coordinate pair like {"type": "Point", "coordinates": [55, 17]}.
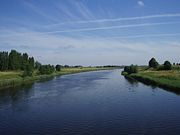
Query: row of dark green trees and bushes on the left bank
{"type": "Point", "coordinates": [15, 61]}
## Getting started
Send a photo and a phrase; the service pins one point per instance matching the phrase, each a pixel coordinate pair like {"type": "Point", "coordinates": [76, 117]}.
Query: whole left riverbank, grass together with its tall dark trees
{"type": "Point", "coordinates": [19, 69]}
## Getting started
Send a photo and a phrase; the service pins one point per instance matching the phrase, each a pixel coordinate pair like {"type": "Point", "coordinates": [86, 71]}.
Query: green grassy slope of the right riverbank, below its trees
{"type": "Point", "coordinates": [169, 79]}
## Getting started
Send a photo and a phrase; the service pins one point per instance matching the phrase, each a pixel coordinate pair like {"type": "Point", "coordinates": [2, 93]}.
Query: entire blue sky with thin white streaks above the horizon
{"type": "Point", "coordinates": [92, 32]}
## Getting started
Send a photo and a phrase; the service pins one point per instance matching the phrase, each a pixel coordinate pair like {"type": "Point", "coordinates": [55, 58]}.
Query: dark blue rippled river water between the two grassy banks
{"type": "Point", "coordinates": [90, 103]}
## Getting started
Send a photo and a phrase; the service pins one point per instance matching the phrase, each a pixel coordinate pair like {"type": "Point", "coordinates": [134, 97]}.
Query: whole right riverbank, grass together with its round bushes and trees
{"type": "Point", "coordinates": [166, 75]}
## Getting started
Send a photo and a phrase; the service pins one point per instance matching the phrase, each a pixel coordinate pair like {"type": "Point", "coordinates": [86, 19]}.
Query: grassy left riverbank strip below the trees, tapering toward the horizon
{"type": "Point", "coordinates": [11, 79]}
